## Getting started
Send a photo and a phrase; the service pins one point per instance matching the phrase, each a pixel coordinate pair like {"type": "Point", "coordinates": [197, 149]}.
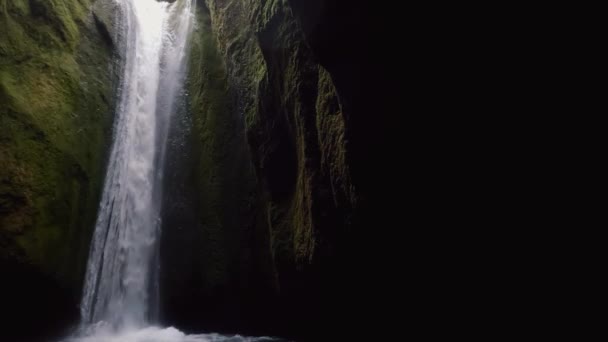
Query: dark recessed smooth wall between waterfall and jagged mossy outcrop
{"type": "Point", "coordinates": [214, 257]}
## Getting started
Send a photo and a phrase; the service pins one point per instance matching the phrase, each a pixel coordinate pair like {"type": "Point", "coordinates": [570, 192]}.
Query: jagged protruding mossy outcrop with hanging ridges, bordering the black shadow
{"type": "Point", "coordinates": [295, 127]}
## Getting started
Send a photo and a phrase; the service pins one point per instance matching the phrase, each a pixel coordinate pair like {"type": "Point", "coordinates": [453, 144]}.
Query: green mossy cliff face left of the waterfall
{"type": "Point", "coordinates": [55, 124]}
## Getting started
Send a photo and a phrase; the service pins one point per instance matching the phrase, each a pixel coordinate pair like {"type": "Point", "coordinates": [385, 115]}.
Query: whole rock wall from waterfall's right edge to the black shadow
{"type": "Point", "coordinates": [253, 73]}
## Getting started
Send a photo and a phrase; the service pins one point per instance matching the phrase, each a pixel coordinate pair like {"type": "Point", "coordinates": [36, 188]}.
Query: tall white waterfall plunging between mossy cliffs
{"type": "Point", "coordinates": [121, 279]}
